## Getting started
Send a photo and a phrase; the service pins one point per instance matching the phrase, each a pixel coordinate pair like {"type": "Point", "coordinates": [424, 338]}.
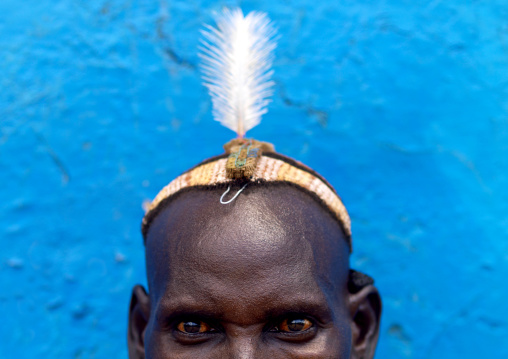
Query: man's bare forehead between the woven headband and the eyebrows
{"type": "Point", "coordinates": [268, 238]}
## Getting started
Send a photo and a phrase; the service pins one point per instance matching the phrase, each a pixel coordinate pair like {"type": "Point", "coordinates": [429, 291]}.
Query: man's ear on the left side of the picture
{"type": "Point", "coordinates": [139, 312]}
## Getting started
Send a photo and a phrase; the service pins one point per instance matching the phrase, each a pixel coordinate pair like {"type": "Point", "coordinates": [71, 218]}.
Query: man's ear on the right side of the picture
{"type": "Point", "coordinates": [365, 311]}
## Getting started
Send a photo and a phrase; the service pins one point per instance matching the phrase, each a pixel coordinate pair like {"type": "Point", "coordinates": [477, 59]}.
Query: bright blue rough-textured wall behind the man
{"type": "Point", "coordinates": [402, 105]}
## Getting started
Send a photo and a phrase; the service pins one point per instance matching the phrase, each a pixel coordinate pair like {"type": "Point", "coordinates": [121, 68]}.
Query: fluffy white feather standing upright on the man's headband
{"type": "Point", "coordinates": [236, 59]}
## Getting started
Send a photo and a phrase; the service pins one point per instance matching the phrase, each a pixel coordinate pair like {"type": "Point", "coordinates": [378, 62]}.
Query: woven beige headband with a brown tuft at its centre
{"type": "Point", "coordinates": [247, 161]}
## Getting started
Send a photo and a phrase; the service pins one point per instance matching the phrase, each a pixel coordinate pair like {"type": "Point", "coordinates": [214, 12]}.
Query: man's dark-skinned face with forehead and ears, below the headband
{"type": "Point", "coordinates": [263, 277]}
